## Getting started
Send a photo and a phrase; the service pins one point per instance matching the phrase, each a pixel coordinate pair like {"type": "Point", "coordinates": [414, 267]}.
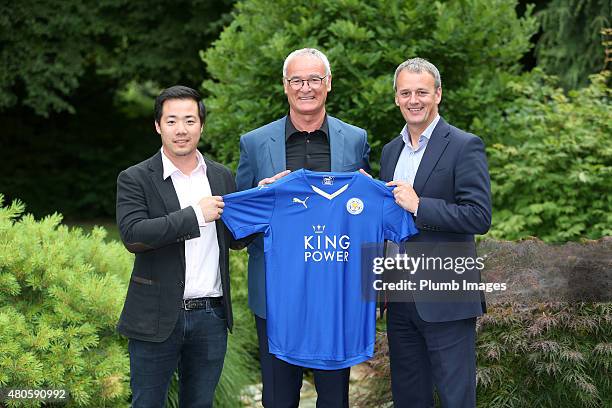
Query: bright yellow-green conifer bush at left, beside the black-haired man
{"type": "Point", "coordinates": [60, 295]}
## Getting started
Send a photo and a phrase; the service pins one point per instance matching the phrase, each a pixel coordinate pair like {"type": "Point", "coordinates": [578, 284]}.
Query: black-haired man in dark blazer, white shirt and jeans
{"type": "Point", "coordinates": [178, 309]}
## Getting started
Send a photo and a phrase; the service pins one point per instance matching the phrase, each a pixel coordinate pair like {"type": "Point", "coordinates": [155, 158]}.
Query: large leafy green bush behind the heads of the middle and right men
{"type": "Point", "coordinates": [475, 43]}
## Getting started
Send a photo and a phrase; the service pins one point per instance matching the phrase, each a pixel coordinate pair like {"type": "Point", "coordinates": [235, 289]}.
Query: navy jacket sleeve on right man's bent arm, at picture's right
{"type": "Point", "coordinates": [471, 211]}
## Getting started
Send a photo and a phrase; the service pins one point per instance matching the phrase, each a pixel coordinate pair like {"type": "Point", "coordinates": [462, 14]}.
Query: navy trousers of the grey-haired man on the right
{"type": "Point", "coordinates": [424, 354]}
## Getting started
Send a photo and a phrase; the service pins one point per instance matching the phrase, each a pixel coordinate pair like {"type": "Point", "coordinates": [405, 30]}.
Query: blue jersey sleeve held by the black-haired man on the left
{"type": "Point", "coordinates": [247, 212]}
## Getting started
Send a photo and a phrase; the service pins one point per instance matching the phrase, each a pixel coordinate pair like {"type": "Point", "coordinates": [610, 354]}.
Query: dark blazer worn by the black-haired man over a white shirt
{"type": "Point", "coordinates": [154, 227]}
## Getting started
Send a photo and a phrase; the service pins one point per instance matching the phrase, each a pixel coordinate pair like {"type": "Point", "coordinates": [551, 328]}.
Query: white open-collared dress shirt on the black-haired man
{"type": "Point", "coordinates": [202, 276]}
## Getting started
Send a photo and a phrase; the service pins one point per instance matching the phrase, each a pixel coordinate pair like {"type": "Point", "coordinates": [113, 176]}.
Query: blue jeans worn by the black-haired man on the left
{"type": "Point", "coordinates": [197, 346]}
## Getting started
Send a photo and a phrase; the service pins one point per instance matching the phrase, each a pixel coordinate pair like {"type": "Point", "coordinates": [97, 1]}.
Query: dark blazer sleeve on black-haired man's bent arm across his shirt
{"type": "Point", "coordinates": [140, 233]}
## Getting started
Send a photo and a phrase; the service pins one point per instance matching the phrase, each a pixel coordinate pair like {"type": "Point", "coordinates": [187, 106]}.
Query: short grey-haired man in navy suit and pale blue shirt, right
{"type": "Point", "coordinates": [440, 176]}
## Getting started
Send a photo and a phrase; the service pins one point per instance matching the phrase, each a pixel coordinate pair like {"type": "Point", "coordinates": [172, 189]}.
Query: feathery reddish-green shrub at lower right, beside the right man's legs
{"type": "Point", "coordinates": [539, 344]}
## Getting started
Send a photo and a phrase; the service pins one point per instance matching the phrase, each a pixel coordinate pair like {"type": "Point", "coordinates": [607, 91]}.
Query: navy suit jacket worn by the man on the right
{"type": "Point", "coordinates": [453, 186]}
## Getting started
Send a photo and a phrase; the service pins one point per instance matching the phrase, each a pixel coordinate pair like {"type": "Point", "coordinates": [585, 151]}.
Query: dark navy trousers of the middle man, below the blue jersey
{"type": "Point", "coordinates": [282, 381]}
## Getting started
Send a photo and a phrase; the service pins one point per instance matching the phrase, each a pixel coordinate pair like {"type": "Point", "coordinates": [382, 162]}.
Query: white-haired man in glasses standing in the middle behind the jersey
{"type": "Point", "coordinates": [306, 138]}
